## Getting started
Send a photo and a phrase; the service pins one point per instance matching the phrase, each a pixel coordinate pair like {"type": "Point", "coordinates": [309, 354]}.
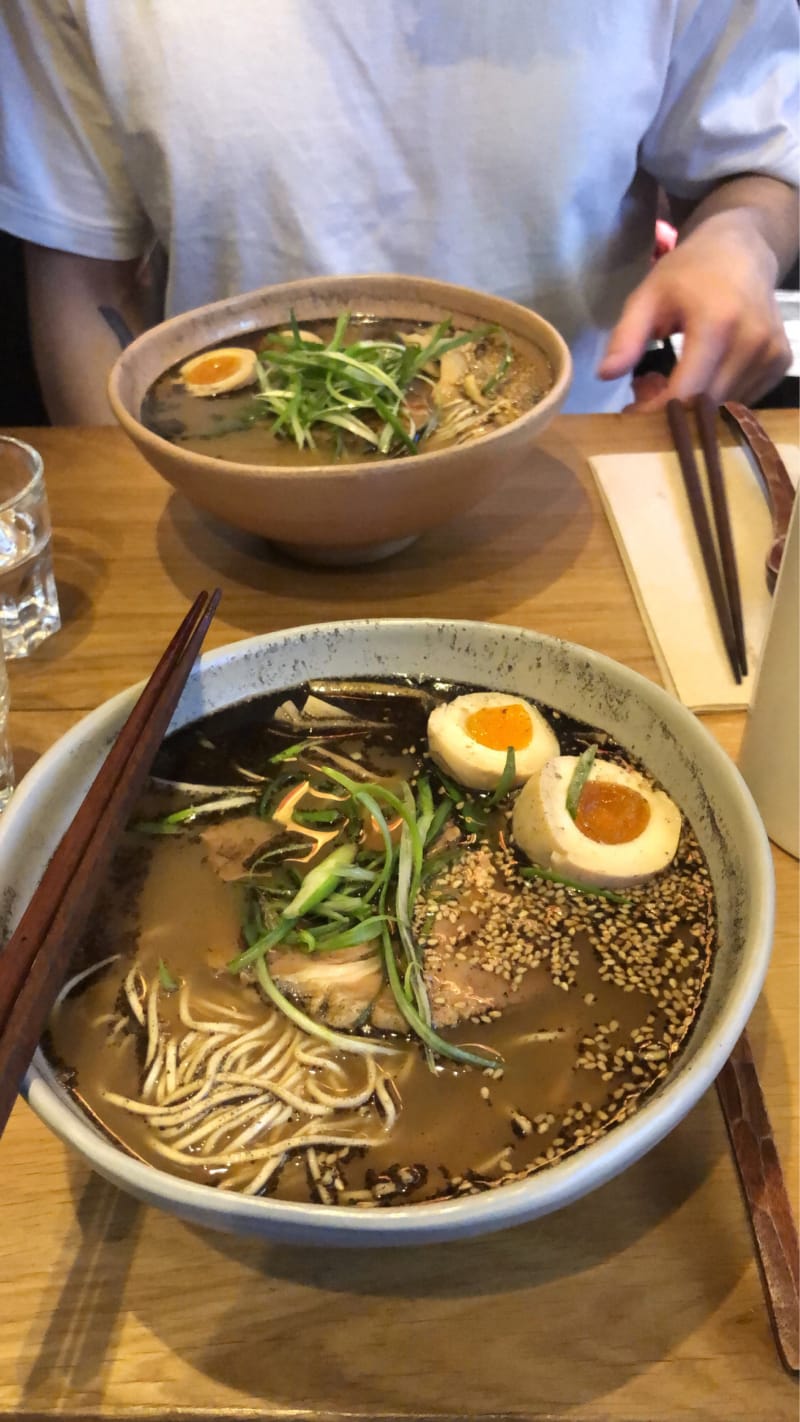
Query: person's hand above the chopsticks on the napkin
{"type": "Point", "coordinates": [718, 289]}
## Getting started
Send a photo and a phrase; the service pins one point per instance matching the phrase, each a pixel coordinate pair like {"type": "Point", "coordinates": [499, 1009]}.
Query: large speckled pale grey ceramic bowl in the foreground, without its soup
{"type": "Point", "coordinates": [670, 740]}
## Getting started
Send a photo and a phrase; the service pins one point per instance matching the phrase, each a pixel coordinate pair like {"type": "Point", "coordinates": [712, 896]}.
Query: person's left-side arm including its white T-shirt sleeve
{"type": "Point", "coordinates": [67, 193]}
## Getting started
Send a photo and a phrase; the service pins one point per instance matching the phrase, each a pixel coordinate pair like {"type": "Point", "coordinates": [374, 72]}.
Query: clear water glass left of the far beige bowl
{"type": "Point", "coordinates": [29, 602]}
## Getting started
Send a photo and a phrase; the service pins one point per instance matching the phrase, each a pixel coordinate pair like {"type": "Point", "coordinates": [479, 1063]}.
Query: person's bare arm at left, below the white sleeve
{"type": "Point", "coordinates": [72, 301]}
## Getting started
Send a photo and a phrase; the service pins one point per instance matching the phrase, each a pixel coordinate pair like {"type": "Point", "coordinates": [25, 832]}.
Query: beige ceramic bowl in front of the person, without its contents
{"type": "Point", "coordinates": [346, 513]}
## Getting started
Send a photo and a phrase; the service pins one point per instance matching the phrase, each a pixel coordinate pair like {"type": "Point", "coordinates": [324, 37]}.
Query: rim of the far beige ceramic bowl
{"type": "Point", "coordinates": [208, 464]}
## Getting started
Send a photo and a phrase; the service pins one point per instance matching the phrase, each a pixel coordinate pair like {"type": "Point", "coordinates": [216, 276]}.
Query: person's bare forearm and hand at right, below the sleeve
{"type": "Point", "coordinates": [718, 289]}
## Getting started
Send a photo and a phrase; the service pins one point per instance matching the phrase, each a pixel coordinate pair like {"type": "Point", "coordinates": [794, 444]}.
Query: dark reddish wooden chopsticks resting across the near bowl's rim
{"type": "Point", "coordinates": [36, 959]}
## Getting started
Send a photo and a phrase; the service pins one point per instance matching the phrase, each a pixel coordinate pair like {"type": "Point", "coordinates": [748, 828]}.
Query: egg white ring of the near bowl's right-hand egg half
{"type": "Point", "coordinates": [548, 834]}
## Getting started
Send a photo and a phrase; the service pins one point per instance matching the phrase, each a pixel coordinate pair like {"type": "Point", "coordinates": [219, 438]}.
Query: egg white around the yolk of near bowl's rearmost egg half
{"type": "Point", "coordinates": [475, 766]}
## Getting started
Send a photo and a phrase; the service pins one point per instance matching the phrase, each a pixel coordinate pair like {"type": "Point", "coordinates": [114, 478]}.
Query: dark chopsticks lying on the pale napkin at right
{"type": "Point", "coordinates": [720, 558]}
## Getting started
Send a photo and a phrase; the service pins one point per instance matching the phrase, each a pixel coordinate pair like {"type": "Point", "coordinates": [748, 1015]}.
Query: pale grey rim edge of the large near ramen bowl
{"type": "Point", "coordinates": [440, 1219]}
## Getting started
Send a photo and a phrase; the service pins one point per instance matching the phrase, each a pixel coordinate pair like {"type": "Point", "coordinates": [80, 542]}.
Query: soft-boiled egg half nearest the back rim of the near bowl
{"type": "Point", "coordinates": [471, 736]}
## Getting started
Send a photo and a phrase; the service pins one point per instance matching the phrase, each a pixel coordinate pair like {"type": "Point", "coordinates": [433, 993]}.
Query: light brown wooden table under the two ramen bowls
{"type": "Point", "coordinates": [637, 1305]}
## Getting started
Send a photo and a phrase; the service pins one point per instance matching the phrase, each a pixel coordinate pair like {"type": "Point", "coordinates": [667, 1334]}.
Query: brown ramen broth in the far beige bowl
{"type": "Point", "coordinates": [234, 426]}
